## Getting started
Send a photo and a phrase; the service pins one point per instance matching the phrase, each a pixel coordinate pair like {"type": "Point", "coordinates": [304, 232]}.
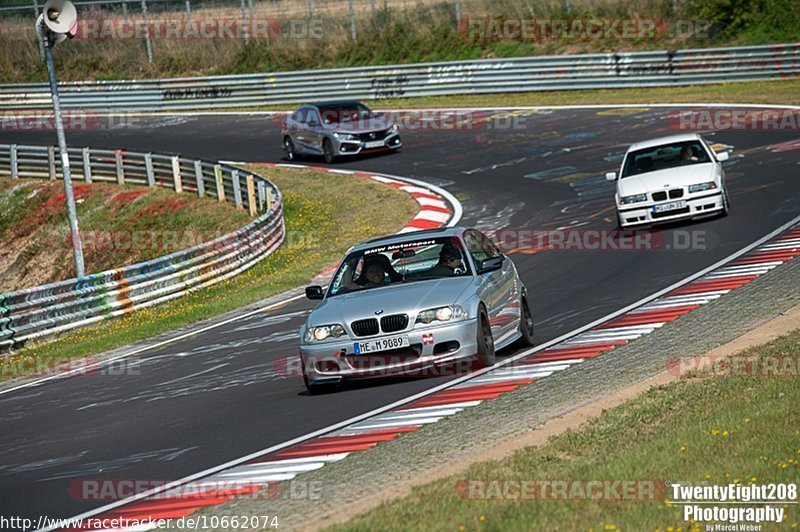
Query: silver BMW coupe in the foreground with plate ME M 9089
{"type": "Point", "coordinates": [405, 303]}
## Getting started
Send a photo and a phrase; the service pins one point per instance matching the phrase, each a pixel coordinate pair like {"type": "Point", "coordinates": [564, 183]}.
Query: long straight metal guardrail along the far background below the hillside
{"type": "Point", "coordinates": [590, 71]}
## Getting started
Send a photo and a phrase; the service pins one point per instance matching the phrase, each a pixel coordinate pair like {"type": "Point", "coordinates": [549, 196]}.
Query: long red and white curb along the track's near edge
{"type": "Point", "coordinates": [255, 473]}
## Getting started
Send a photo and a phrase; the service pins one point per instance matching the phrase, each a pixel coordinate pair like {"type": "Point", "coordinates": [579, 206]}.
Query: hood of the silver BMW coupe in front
{"type": "Point", "coordinates": [405, 298]}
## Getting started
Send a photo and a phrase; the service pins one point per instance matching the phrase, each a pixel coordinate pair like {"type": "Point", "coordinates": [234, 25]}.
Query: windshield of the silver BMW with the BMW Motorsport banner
{"type": "Point", "coordinates": [416, 260]}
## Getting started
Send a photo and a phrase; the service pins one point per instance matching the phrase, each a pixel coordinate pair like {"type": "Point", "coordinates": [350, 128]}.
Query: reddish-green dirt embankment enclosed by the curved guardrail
{"type": "Point", "coordinates": [120, 225]}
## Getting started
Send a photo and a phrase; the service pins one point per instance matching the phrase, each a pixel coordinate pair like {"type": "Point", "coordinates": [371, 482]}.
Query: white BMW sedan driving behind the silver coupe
{"type": "Point", "coordinates": [670, 178]}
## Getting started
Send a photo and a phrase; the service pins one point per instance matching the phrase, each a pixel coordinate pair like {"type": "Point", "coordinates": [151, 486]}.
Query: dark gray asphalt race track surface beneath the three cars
{"type": "Point", "coordinates": [221, 394]}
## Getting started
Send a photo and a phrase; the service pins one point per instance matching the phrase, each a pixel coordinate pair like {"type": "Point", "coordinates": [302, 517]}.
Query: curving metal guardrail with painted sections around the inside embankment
{"type": "Point", "coordinates": [53, 308]}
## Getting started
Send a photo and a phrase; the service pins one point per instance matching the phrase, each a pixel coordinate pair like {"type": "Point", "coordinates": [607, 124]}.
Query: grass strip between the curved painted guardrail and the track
{"type": "Point", "coordinates": [325, 214]}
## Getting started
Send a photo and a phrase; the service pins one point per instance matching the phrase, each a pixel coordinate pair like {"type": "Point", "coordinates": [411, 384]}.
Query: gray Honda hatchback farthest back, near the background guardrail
{"type": "Point", "coordinates": [336, 129]}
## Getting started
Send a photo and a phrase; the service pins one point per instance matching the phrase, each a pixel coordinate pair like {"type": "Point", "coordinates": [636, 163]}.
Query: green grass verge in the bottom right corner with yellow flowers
{"type": "Point", "coordinates": [695, 430]}
